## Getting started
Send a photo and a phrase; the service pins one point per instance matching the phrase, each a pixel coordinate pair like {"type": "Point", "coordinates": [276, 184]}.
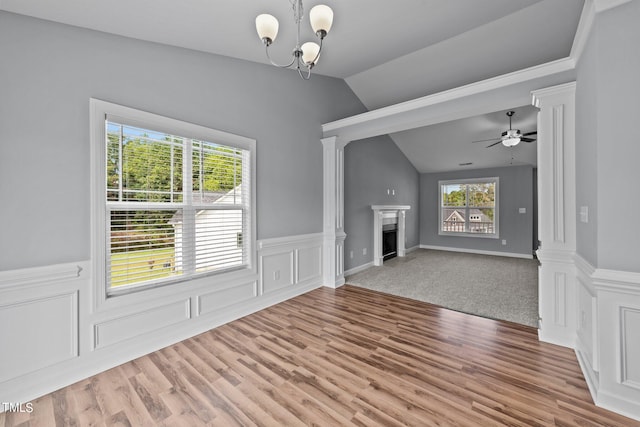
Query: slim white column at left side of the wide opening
{"type": "Point", "coordinates": [333, 212]}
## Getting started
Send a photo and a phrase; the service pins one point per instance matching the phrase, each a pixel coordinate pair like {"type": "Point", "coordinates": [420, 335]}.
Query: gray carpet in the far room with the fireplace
{"type": "Point", "coordinates": [489, 286]}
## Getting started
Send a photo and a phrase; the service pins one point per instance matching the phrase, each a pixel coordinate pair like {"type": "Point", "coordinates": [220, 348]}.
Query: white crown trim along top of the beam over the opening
{"type": "Point", "coordinates": [537, 71]}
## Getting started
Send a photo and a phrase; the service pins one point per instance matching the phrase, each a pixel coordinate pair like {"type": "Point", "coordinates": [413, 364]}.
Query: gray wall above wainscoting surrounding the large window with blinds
{"type": "Point", "coordinates": [49, 71]}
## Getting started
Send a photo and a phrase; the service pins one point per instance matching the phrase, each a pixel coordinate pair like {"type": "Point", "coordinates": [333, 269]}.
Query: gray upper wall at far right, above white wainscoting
{"type": "Point", "coordinates": [607, 150]}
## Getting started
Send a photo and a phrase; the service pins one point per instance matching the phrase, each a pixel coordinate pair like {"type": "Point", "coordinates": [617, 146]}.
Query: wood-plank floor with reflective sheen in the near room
{"type": "Point", "coordinates": [338, 357]}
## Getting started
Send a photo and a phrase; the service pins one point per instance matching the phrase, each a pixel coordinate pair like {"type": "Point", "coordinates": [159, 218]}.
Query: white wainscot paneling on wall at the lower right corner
{"type": "Point", "coordinates": [607, 344]}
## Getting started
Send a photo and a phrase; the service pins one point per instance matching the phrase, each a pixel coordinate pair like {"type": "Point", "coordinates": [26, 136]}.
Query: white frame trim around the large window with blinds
{"type": "Point", "coordinates": [100, 111]}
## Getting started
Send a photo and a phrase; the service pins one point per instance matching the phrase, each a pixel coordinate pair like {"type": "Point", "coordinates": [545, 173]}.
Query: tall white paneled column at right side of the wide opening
{"type": "Point", "coordinates": [556, 213]}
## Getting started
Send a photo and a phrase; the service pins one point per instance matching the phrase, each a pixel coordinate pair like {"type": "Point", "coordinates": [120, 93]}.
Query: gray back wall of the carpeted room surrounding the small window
{"type": "Point", "coordinates": [515, 191]}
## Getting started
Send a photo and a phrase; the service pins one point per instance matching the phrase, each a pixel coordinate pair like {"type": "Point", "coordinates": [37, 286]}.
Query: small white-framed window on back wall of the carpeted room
{"type": "Point", "coordinates": [469, 207]}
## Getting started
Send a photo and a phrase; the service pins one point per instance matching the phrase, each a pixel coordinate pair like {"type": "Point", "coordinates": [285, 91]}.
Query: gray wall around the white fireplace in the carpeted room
{"type": "Point", "coordinates": [372, 166]}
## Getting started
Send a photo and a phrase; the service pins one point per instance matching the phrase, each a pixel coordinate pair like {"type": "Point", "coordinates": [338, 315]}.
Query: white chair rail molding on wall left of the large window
{"type": "Point", "coordinates": [34, 276]}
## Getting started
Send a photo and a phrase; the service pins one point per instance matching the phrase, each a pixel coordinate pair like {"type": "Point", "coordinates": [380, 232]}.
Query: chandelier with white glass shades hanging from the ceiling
{"type": "Point", "coordinates": [304, 56]}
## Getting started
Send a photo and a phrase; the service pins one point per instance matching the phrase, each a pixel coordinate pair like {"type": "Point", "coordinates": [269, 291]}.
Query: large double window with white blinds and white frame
{"type": "Point", "coordinates": [172, 198]}
